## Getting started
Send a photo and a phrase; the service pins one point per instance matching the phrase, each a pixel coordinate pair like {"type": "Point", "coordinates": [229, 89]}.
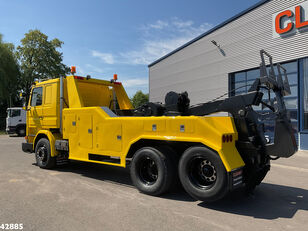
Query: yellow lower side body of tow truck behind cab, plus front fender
{"type": "Point", "coordinates": [93, 131]}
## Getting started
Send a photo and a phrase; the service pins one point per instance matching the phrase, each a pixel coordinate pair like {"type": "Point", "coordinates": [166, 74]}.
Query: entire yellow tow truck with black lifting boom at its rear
{"type": "Point", "coordinates": [84, 119]}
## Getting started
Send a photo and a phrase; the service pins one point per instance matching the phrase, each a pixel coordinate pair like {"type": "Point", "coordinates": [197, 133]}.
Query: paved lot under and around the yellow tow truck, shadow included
{"type": "Point", "coordinates": [85, 196]}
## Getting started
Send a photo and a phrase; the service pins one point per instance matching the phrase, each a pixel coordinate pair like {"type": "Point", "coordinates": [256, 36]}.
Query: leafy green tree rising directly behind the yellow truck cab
{"type": "Point", "coordinates": [39, 59]}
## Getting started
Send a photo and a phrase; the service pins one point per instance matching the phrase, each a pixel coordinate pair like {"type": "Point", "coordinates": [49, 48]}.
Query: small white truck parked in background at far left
{"type": "Point", "coordinates": [16, 121]}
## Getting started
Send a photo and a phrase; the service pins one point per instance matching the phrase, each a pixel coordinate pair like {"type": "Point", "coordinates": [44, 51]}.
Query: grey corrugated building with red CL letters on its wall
{"type": "Point", "coordinates": [228, 56]}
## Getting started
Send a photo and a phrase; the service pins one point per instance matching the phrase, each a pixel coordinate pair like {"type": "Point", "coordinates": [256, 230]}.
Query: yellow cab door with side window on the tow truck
{"type": "Point", "coordinates": [35, 113]}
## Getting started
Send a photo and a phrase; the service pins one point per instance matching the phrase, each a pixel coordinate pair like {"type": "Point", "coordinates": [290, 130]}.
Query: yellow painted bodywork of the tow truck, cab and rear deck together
{"type": "Point", "coordinates": [91, 127]}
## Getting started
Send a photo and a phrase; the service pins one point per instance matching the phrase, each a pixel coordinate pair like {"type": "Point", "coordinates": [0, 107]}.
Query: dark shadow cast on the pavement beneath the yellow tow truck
{"type": "Point", "coordinates": [269, 201]}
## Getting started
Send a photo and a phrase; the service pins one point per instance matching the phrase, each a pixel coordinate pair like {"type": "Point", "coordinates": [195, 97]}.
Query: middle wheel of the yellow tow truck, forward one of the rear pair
{"type": "Point", "coordinates": [153, 171]}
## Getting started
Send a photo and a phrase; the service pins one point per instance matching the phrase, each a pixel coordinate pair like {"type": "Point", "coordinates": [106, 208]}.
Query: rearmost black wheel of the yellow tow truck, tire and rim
{"type": "Point", "coordinates": [203, 174]}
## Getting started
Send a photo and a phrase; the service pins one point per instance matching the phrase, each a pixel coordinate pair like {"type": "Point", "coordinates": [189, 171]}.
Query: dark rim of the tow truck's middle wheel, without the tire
{"type": "Point", "coordinates": [148, 171]}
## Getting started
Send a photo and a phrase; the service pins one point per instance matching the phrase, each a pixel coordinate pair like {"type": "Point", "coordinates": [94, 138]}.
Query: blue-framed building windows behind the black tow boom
{"type": "Point", "coordinates": [240, 83]}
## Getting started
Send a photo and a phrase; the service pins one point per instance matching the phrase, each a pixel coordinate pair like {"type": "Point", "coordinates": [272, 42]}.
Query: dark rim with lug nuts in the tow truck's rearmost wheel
{"type": "Point", "coordinates": [202, 172]}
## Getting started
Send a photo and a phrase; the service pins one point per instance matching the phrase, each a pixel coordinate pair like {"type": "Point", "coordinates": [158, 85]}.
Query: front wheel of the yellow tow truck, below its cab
{"type": "Point", "coordinates": [43, 154]}
